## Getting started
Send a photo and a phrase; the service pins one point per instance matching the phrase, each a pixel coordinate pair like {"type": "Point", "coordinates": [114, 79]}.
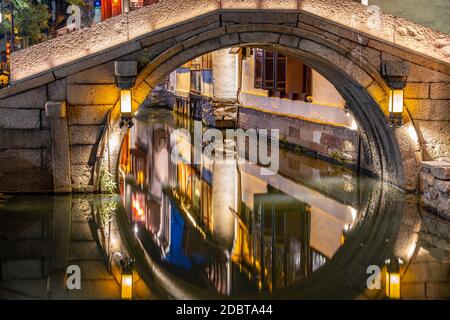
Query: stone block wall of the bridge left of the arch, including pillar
{"type": "Point", "coordinates": [50, 150]}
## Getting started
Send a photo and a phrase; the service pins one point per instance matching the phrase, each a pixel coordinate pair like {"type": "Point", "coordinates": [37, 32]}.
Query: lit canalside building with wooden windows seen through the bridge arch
{"type": "Point", "coordinates": [257, 88]}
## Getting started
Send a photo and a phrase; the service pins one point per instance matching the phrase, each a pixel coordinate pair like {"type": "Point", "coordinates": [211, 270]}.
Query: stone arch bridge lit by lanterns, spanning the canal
{"type": "Point", "coordinates": [65, 147]}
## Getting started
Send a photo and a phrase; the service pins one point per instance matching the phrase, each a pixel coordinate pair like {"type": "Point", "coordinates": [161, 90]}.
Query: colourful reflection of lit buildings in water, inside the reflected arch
{"type": "Point", "coordinates": [222, 221]}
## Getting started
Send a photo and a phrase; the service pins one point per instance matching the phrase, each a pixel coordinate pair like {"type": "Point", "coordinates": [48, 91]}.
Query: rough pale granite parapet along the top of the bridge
{"type": "Point", "coordinates": [362, 25]}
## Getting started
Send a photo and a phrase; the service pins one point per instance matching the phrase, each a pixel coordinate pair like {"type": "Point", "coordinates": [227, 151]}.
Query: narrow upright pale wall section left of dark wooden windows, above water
{"type": "Point", "coordinates": [225, 74]}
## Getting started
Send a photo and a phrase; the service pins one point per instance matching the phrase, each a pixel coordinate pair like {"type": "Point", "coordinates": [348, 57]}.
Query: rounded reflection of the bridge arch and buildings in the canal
{"type": "Point", "coordinates": [213, 229]}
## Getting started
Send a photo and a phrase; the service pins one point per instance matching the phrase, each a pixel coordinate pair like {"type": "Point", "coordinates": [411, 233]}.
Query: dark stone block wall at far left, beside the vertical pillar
{"type": "Point", "coordinates": [25, 143]}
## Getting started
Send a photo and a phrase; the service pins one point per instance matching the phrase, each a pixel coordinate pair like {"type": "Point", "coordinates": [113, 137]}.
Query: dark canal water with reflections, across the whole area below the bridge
{"type": "Point", "coordinates": [212, 229]}
